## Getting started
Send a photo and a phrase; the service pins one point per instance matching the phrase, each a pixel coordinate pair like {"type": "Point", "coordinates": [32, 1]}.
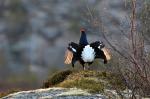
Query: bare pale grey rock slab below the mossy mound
{"type": "Point", "coordinates": [55, 93]}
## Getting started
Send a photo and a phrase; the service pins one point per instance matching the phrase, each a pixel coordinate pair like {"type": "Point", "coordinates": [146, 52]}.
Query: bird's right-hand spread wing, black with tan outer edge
{"type": "Point", "coordinates": [101, 51]}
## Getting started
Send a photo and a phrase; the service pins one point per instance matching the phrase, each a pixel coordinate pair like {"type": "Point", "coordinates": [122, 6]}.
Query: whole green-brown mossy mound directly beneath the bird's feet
{"type": "Point", "coordinates": [92, 81]}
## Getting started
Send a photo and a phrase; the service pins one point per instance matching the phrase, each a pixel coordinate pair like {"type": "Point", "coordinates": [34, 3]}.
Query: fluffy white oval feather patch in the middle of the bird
{"type": "Point", "coordinates": [88, 54]}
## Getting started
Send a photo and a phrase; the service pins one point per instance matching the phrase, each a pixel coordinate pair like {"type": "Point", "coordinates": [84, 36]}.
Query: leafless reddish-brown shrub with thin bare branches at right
{"type": "Point", "coordinates": [137, 73]}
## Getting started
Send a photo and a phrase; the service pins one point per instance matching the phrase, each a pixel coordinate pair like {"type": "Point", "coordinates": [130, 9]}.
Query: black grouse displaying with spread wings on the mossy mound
{"type": "Point", "coordinates": [85, 52]}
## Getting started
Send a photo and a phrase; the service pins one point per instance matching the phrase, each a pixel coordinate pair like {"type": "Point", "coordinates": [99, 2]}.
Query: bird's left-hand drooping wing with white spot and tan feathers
{"type": "Point", "coordinates": [71, 53]}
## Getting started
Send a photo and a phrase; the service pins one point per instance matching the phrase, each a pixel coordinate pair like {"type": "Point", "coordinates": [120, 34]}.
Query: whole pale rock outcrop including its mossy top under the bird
{"type": "Point", "coordinates": [79, 85]}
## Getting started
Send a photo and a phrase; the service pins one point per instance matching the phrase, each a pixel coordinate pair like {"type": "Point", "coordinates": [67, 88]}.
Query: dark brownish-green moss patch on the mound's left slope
{"type": "Point", "coordinates": [56, 78]}
